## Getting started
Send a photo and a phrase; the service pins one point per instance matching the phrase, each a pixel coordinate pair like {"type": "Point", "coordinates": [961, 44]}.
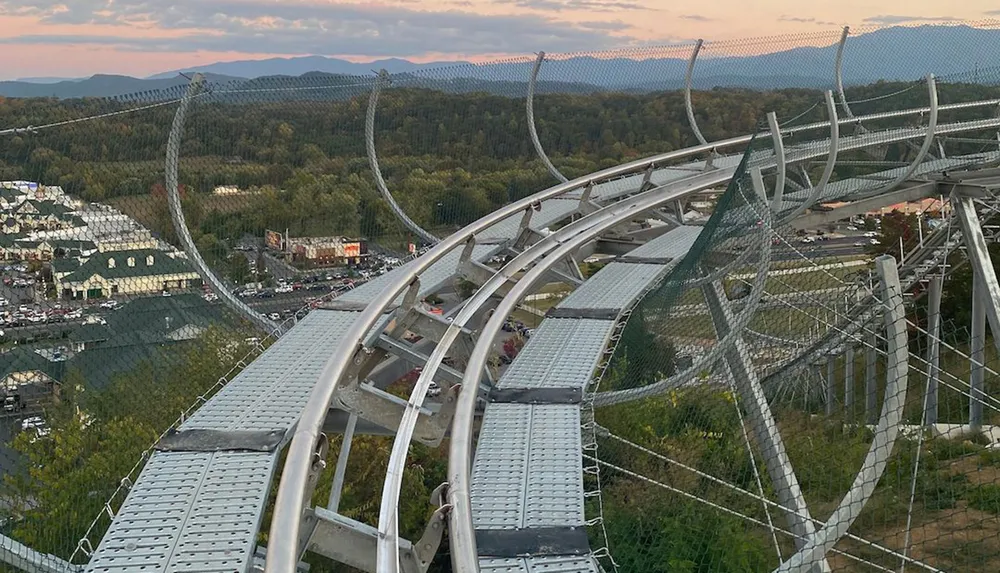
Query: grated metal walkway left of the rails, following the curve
{"type": "Point", "coordinates": [200, 512]}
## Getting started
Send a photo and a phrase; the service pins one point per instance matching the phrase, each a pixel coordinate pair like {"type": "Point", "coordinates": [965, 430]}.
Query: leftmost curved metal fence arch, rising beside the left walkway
{"type": "Point", "coordinates": [180, 225]}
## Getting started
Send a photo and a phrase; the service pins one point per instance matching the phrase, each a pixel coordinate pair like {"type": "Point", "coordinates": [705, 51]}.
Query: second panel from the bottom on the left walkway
{"type": "Point", "coordinates": [271, 391]}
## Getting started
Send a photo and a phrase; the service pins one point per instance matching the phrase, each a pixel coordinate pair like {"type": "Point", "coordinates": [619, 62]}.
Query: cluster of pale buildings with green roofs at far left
{"type": "Point", "coordinates": [95, 251]}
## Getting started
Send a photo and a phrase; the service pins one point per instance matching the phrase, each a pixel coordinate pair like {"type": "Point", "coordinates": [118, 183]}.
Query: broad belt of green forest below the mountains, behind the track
{"type": "Point", "coordinates": [448, 158]}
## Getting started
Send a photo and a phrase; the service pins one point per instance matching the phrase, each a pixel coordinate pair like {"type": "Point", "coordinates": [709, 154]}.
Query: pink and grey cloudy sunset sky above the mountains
{"type": "Point", "coordinates": [77, 38]}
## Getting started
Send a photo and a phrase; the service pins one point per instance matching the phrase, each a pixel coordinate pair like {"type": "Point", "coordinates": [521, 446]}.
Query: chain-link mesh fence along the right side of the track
{"type": "Point", "coordinates": [723, 451]}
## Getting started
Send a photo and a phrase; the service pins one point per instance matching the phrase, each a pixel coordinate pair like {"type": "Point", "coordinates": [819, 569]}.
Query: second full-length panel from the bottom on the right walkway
{"type": "Point", "coordinates": [562, 353]}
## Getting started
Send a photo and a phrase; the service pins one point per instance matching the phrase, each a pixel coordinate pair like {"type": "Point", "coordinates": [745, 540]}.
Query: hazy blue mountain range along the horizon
{"type": "Point", "coordinates": [900, 53]}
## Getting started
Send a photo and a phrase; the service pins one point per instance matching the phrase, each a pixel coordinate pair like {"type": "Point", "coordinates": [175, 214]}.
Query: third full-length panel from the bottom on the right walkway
{"type": "Point", "coordinates": [615, 288]}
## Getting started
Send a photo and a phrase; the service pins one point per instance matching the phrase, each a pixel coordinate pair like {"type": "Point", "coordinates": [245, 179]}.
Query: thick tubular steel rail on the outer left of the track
{"type": "Point", "coordinates": [291, 495]}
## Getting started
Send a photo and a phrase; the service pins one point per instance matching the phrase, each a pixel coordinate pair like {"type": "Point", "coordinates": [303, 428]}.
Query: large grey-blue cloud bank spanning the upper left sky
{"type": "Point", "coordinates": [297, 27]}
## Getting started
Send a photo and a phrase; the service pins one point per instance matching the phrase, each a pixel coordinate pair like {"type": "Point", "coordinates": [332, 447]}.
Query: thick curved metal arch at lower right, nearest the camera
{"type": "Point", "coordinates": [886, 431]}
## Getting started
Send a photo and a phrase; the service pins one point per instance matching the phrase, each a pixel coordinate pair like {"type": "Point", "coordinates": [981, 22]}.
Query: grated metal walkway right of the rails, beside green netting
{"type": "Point", "coordinates": [527, 471]}
